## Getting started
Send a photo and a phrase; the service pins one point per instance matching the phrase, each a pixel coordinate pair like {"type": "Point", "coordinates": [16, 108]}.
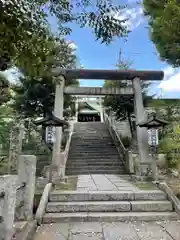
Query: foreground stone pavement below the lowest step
{"type": "Point", "coordinates": [110, 231]}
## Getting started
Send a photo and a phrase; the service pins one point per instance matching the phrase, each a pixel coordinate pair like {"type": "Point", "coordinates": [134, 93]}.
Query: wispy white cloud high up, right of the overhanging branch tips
{"type": "Point", "coordinates": [134, 17]}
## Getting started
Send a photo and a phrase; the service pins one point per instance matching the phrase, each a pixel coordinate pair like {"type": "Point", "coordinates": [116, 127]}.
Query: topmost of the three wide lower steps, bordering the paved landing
{"type": "Point", "coordinates": [69, 196]}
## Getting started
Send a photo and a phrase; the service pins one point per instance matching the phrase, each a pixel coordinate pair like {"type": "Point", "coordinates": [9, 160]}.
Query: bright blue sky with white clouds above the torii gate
{"type": "Point", "coordinates": [138, 49]}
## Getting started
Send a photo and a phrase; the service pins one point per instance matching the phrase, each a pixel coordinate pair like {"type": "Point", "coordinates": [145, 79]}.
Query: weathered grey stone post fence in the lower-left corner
{"type": "Point", "coordinates": [17, 196]}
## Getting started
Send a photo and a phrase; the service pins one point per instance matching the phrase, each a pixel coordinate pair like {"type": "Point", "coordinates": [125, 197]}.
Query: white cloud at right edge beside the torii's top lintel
{"type": "Point", "coordinates": [171, 81]}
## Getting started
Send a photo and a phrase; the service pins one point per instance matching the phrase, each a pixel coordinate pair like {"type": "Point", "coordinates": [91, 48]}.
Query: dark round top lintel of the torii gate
{"type": "Point", "coordinates": [109, 74]}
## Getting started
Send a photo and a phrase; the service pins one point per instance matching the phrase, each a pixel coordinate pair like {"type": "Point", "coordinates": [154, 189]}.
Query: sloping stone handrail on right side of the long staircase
{"type": "Point", "coordinates": [123, 152]}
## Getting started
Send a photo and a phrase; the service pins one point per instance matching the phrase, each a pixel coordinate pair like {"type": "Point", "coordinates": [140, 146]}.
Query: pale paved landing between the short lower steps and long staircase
{"type": "Point", "coordinates": [104, 183]}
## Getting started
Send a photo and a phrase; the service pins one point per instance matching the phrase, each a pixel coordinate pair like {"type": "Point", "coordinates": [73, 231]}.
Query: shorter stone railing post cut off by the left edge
{"type": "Point", "coordinates": [7, 205]}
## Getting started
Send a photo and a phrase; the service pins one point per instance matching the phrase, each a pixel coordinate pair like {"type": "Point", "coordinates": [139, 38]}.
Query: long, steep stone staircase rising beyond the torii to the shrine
{"type": "Point", "coordinates": [92, 151]}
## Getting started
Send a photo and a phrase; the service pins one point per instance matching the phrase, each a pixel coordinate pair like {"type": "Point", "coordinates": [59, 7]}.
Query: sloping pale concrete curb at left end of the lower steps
{"type": "Point", "coordinates": [43, 203]}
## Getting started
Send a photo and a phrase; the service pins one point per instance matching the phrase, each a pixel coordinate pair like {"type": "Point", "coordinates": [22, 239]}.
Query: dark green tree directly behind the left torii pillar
{"type": "Point", "coordinates": [35, 95]}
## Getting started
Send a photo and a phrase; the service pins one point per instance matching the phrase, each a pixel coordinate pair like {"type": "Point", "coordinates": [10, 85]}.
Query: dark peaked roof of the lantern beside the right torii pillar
{"type": "Point", "coordinates": [153, 122]}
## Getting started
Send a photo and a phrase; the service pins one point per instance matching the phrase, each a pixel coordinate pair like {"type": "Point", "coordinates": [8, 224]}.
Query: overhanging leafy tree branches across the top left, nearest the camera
{"type": "Point", "coordinates": [24, 29]}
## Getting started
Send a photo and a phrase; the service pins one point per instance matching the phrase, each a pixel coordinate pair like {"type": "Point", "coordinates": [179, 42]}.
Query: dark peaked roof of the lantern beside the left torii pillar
{"type": "Point", "coordinates": [51, 120]}
